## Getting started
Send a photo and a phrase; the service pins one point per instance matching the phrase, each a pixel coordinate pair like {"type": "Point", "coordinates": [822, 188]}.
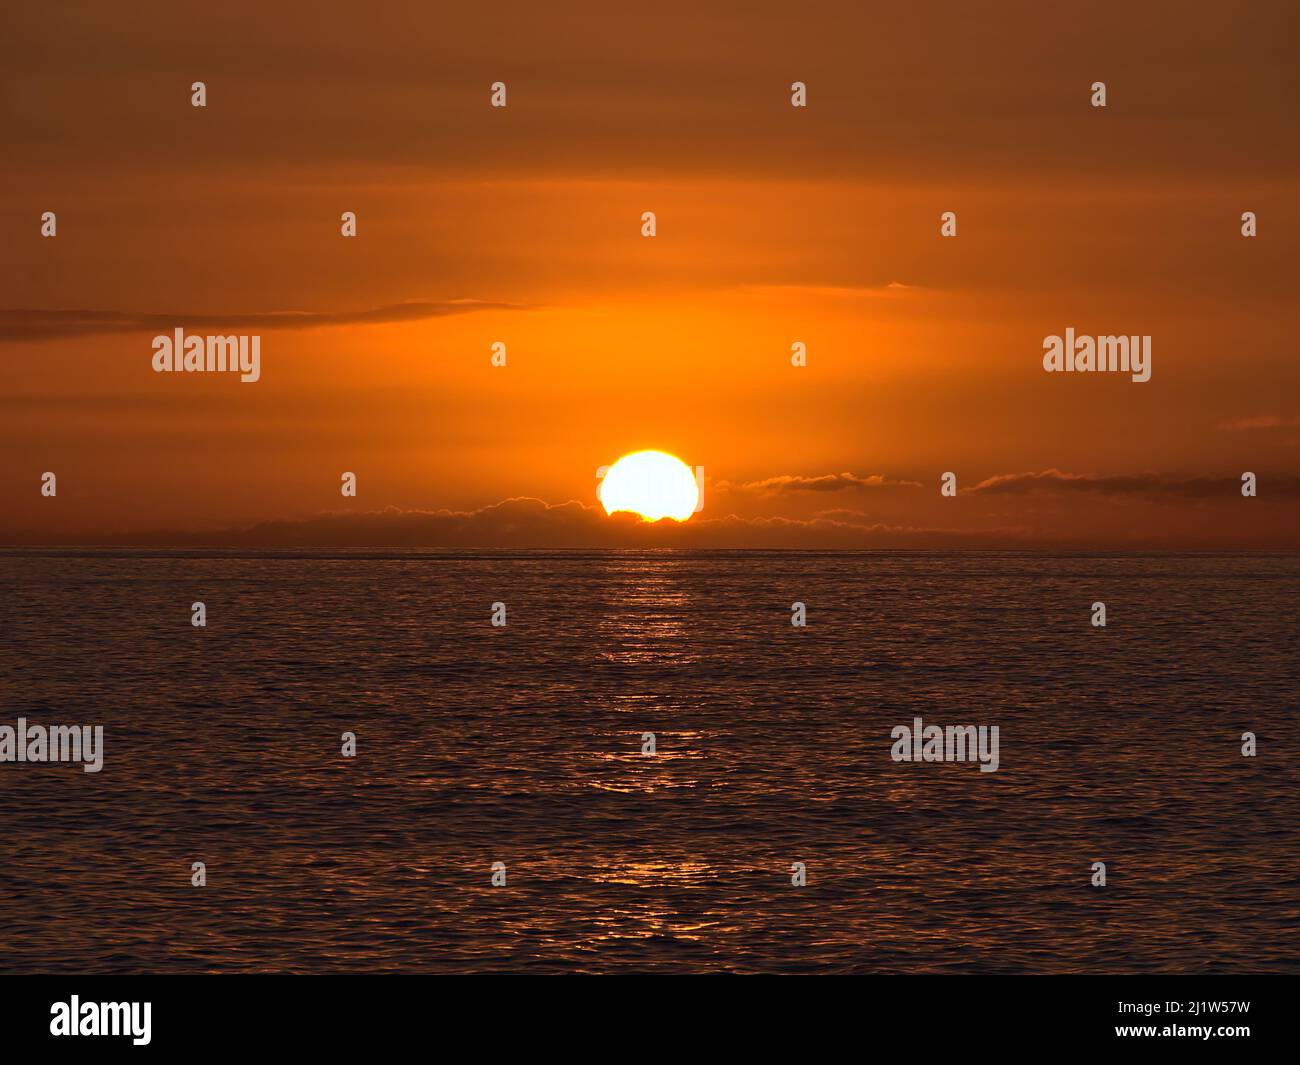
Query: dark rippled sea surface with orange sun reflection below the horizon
{"type": "Point", "coordinates": [523, 746]}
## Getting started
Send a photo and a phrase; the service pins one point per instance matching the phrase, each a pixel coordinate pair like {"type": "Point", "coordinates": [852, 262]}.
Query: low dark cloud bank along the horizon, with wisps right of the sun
{"type": "Point", "coordinates": [527, 523]}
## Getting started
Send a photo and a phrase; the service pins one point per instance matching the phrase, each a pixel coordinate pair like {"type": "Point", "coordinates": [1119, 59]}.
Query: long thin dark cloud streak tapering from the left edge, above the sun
{"type": "Point", "coordinates": [46, 326]}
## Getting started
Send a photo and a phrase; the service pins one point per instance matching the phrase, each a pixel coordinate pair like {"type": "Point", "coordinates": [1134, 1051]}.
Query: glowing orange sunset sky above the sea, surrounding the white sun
{"type": "Point", "coordinates": [775, 224]}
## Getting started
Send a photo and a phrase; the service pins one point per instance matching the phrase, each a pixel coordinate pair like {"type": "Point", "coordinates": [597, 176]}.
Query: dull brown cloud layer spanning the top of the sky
{"type": "Point", "coordinates": [601, 97]}
